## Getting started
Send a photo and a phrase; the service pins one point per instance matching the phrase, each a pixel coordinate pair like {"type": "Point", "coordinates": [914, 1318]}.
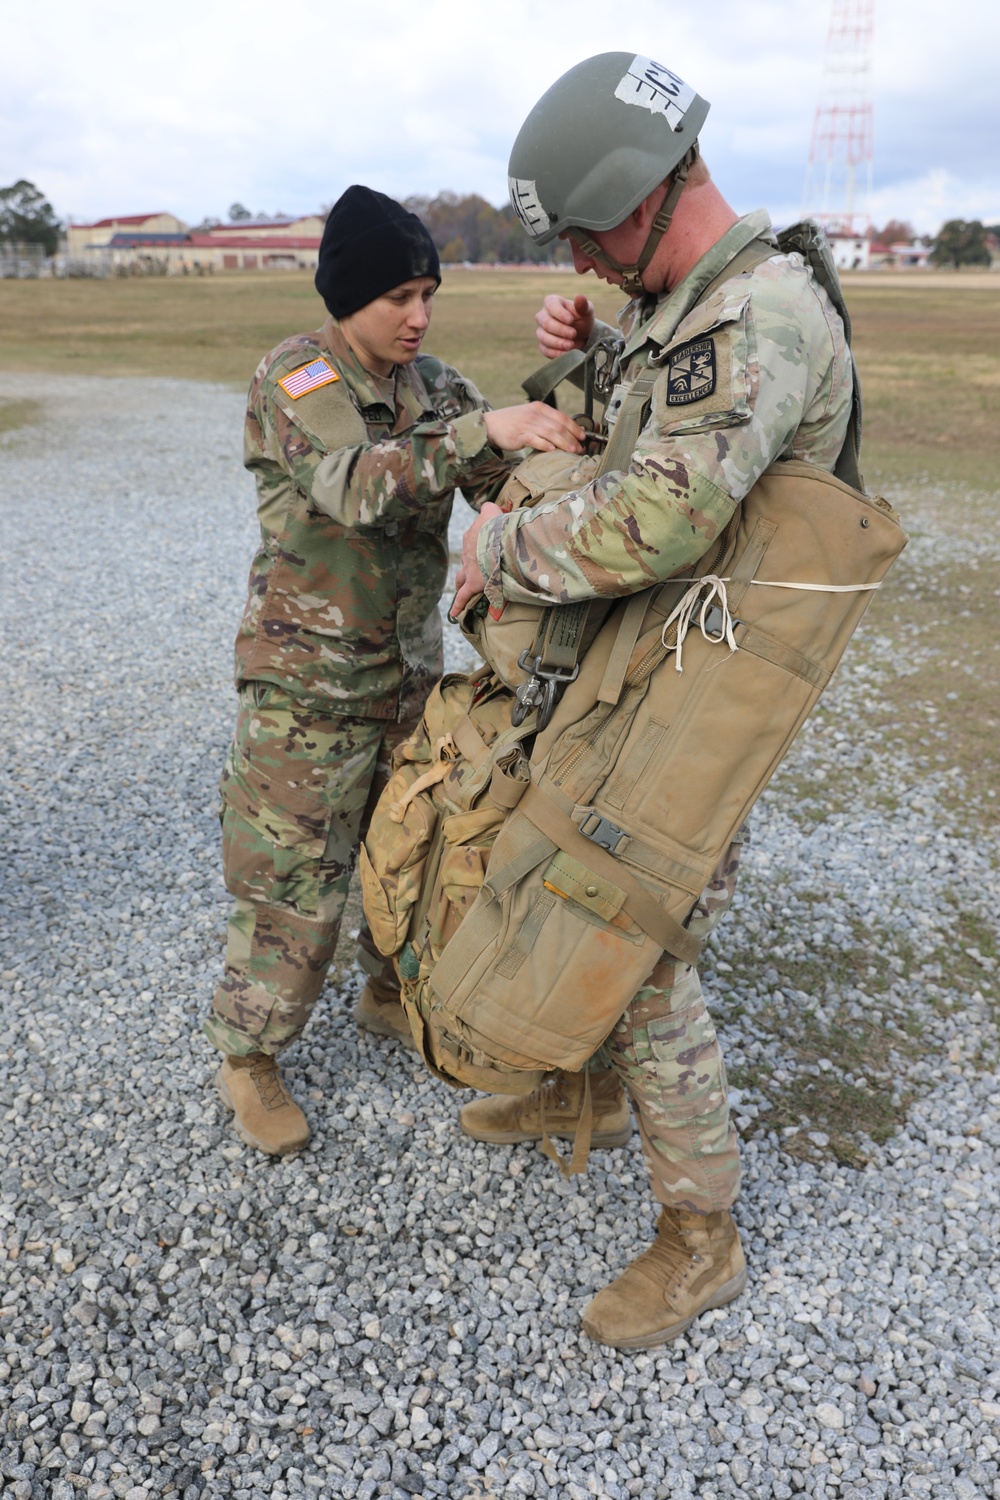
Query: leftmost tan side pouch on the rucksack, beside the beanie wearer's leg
{"type": "Point", "coordinates": [394, 856]}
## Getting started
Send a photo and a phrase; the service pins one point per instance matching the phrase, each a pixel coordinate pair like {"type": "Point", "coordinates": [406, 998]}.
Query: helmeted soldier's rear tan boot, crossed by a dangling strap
{"type": "Point", "coordinates": [554, 1109]}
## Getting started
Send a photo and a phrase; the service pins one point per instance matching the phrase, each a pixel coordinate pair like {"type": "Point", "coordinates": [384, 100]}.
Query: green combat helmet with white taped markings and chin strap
{"type": "Point", "coordinates": [596, 145]}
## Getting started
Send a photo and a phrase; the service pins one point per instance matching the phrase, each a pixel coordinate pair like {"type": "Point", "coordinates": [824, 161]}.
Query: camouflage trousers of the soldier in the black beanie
{"type": "Point", "coordinates": [298, 794]}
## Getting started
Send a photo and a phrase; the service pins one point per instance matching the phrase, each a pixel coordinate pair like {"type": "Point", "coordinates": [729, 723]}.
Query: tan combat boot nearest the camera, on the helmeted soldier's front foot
{"type": "Point", "coordinates": [695, 1264]}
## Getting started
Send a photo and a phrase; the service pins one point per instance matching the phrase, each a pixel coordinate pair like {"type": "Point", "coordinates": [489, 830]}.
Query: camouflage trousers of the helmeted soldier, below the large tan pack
{"type": "Point", "coordinates": [666, 1052]}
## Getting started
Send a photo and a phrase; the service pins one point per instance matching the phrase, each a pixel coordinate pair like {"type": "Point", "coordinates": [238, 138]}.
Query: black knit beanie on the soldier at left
{"type": "Point", "coordinates": [371, 244]}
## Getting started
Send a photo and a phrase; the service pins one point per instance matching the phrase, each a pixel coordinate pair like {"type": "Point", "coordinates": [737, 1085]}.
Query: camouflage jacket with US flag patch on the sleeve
{"type": "Point", "coordinates": [355, 481]}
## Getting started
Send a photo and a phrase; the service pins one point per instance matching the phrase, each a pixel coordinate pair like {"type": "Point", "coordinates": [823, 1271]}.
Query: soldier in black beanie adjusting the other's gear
{"type": "Point", "coordinates": [358, 442]}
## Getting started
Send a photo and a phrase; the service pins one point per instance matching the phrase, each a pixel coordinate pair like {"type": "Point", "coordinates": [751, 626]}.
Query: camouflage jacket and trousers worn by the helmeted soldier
{"type": "Point", "coordinates": [756, 373]}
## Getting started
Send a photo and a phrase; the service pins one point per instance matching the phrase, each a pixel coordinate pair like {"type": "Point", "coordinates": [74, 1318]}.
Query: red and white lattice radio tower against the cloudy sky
{"type": "Point", "coordinates": [839, 178]}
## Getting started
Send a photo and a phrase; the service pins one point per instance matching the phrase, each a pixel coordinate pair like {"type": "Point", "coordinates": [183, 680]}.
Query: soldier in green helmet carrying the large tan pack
{"type": "Point", "coordinates": [752, 365]}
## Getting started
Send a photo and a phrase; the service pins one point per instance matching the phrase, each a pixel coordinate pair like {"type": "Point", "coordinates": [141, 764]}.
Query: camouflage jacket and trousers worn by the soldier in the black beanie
{"type": "Point", "coordinates": [338, 649]}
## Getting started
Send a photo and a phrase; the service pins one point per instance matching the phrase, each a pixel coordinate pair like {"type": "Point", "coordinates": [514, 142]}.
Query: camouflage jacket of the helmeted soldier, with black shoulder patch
{"type": "Point", "coordinates": [756, 373]}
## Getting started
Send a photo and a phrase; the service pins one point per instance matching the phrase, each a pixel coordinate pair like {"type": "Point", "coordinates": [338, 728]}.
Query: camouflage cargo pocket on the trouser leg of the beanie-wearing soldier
{"type": "Point", "coordinates": [271, 853]}
